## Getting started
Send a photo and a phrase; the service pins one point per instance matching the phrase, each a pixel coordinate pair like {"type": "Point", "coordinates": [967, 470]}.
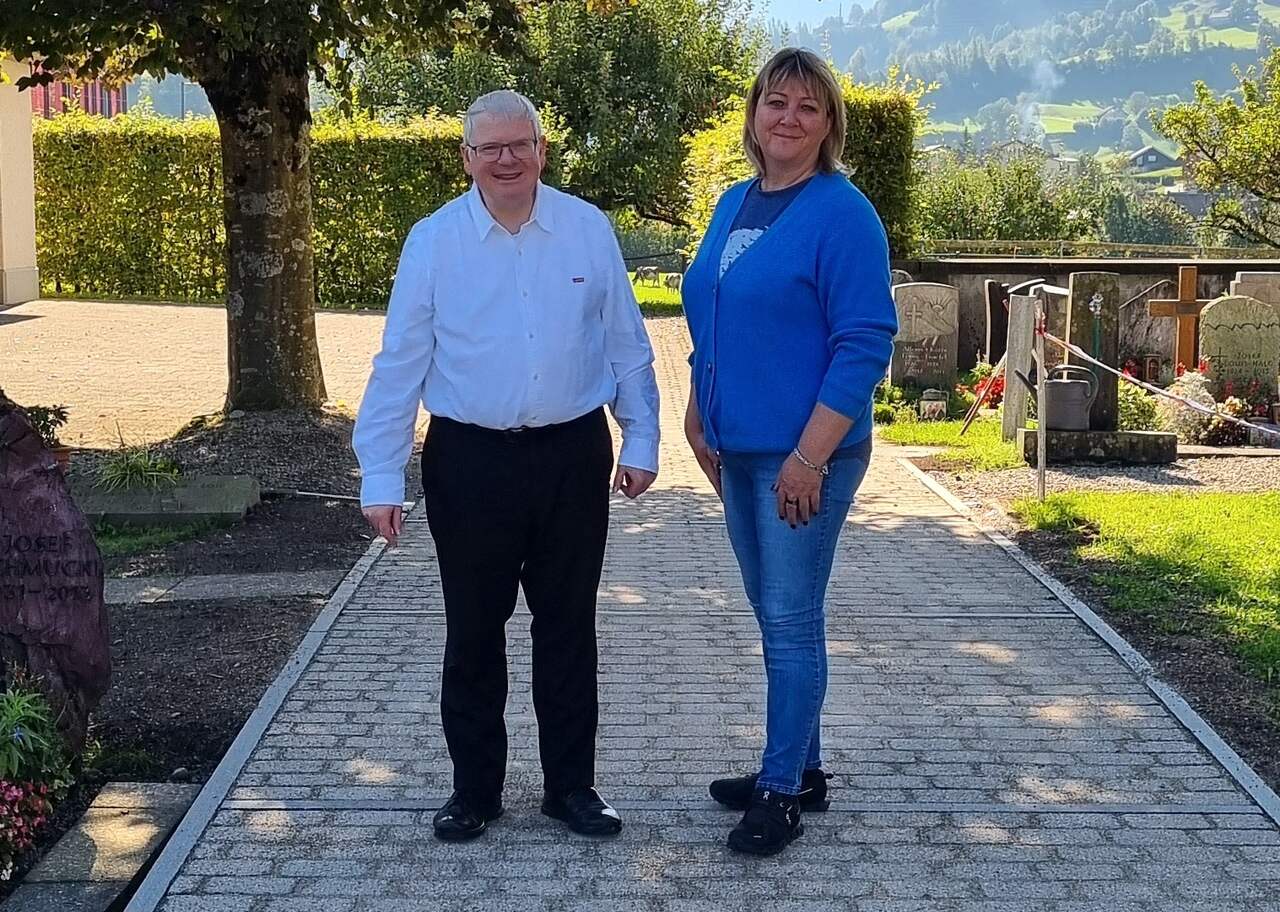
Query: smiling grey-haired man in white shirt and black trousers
{"type": "Point", "coordinates": [514, 322]}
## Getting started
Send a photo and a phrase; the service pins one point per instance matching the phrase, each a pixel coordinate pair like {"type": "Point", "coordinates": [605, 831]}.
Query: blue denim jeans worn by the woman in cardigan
{"type": "Point", "coordinates": [785, 573]}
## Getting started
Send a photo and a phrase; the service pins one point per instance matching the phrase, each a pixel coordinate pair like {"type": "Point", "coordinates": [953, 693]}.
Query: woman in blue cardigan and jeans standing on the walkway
{"type": "Point", "coordinates": [793, 322]}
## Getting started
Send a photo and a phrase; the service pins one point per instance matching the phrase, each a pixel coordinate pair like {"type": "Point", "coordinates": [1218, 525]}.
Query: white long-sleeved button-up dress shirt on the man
{"type": "Point", "coordinates": [508, 331]}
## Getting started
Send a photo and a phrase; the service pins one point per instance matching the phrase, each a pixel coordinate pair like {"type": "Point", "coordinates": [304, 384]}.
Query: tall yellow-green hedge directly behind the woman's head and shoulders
{"type": "Point", "coordinates": [880, 152]}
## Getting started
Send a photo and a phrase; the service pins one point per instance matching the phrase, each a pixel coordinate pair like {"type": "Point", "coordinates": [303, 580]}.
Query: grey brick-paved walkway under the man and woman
{"type": "Point", "coordinates": [993, 753]}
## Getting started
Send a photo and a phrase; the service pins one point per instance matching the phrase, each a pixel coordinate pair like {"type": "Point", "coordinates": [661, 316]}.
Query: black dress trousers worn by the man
{"type": "Point", "coordinates": [523, 509]}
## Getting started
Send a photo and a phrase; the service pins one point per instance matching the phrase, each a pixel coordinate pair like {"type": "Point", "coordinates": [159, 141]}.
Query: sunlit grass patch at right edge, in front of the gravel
{"type": "Point", "coordinates": [1190, 564]}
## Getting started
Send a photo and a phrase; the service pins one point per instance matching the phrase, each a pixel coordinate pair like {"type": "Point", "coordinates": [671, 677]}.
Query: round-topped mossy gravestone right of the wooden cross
{"type": "Point", "coordinates": [1241, 341]}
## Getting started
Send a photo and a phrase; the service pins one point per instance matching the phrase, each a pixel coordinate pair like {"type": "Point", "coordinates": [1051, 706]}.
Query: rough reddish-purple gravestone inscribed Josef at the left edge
{"type": "Point", "coordinates": [53, 621]}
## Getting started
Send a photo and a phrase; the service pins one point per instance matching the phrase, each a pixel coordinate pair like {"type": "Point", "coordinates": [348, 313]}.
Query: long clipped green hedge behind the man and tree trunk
{"type": "Point", "coordinates": [132, 207]}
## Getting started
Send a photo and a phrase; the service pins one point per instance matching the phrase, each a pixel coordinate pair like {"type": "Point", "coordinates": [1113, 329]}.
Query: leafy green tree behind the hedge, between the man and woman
{"type": "Point", "coordinates": [624, 86]}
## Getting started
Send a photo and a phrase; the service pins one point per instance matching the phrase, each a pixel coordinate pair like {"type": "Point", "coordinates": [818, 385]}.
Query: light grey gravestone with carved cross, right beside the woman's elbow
{"type": "Point", "coordinates": [926, 349]}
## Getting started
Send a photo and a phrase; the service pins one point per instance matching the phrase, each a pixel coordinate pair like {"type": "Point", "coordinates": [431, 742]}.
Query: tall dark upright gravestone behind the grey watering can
{"type": "Point", "coordinates": [1094, 325]}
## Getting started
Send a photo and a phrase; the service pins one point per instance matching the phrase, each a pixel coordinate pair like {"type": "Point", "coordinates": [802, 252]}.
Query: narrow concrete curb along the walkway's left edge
{"type": "Point", "coordinates": [176, 851]}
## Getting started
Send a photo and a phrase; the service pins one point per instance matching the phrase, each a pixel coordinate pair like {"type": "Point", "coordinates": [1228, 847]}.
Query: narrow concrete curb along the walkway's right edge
{"type": "Point", "coordinates": [1204, 733]}
